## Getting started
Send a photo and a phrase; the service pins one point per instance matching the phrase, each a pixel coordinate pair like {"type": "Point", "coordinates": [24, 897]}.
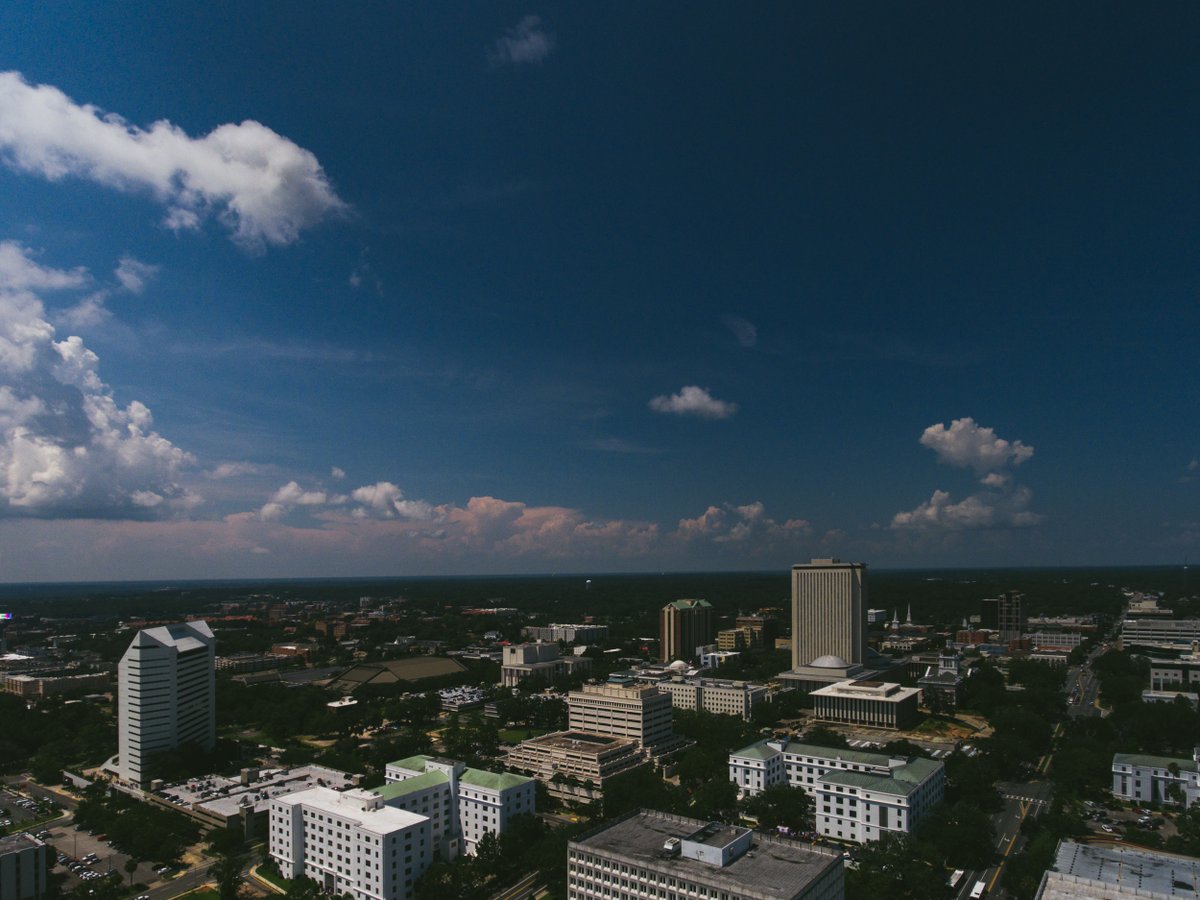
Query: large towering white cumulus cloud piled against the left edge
{"type": "Point", "coordinates": [68, 449]}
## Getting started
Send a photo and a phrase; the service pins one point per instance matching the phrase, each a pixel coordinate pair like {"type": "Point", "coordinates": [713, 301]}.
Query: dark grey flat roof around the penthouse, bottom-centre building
{"type": "Point", "coordinates": [773, 868]}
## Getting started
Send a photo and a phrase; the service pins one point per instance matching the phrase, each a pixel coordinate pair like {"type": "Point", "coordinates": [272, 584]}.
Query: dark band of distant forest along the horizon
{"type": "Point", "coordinates": [627, 602]}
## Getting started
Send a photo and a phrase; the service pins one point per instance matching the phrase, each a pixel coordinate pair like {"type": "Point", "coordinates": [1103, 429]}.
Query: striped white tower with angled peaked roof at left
{"type": "Point", "coordinates": [166, 695]}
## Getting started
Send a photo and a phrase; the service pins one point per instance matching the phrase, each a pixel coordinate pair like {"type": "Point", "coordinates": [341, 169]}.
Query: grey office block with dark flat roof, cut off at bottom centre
{"type": "Point", "coordinates": [651, 856]}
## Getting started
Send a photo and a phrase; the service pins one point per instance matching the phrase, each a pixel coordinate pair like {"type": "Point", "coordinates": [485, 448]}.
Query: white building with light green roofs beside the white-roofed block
{"type": "Point", "coordinates": [463, 803]}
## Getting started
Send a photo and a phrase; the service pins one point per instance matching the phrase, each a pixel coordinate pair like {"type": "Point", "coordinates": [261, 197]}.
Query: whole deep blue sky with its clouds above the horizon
{"type": "Point", "coordinates": [375, 289]}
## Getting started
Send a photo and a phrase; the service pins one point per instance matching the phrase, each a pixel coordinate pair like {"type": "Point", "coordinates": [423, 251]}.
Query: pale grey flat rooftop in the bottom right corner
{"type": "Point", "coordinates": [1100, 872]}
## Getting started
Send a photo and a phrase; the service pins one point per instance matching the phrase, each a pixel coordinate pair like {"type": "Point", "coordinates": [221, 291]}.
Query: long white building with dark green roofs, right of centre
{"type": "Point", "coordinates": [859, 796]}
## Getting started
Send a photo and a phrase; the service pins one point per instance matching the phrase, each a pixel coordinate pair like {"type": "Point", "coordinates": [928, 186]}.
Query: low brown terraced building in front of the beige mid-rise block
{"type": "Point", "coordinates": [575, 765]}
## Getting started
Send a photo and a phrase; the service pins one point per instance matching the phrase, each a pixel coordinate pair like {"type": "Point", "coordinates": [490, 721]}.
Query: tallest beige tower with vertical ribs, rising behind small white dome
{"type": "Point", "coordinates": [829, 613]}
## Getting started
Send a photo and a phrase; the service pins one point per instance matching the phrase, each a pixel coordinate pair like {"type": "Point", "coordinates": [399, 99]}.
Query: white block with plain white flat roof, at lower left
{"type": "Point", "coordinates": [350, 843]}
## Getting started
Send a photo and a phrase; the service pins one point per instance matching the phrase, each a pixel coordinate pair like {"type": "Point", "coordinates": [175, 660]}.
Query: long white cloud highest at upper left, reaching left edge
{"type": "Point", "coordinates": [260, 185]}
